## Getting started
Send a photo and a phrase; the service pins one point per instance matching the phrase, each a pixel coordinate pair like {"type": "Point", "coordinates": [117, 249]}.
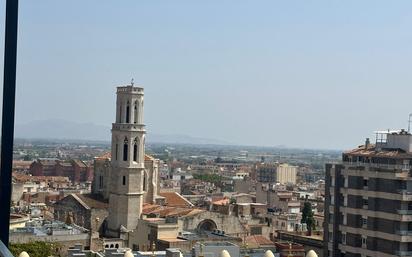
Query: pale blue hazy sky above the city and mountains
{"type": "Point", "coordinates": [318, 74]}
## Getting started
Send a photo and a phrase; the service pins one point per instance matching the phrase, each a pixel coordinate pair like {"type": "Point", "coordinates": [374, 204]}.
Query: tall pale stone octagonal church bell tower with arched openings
{"type": "Point", "coordinates": [127, 175]}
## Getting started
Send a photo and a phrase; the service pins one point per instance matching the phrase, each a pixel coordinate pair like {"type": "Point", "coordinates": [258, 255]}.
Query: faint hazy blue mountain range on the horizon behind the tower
{"type": "Point", "coordinates": [63, 129]}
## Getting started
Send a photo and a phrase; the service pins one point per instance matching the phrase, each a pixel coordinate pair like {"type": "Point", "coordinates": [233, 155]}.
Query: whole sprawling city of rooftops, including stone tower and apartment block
{"type": "Point", "coordinates": [132, 198]}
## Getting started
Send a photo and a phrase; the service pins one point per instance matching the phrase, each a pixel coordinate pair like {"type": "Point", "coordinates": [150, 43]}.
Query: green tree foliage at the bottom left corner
{"type": "Point", "coordinates": [35, 249]}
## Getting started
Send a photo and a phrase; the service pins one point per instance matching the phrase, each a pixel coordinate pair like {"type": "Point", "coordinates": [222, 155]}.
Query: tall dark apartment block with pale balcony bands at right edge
{"type": "Point", "coordinates": [368, 203]}
